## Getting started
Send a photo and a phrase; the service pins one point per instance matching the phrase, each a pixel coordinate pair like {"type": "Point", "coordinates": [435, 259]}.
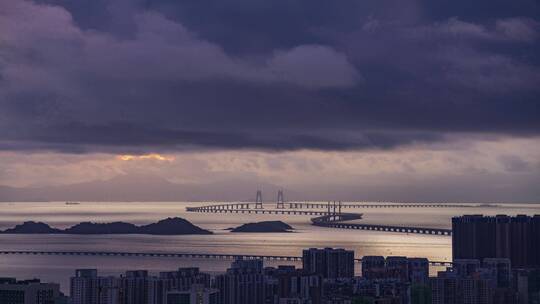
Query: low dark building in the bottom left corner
{"type": "Point", "coordinates": [28, 292]}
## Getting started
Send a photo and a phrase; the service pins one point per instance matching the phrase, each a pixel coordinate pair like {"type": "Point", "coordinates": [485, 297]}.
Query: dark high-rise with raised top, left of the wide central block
{"type": "Point", "coordinates": [243, 283]}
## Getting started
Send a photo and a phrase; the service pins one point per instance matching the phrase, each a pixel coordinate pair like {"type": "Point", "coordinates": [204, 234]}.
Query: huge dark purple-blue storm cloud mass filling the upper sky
{"type": "Point", "coordinates": [133, 75]}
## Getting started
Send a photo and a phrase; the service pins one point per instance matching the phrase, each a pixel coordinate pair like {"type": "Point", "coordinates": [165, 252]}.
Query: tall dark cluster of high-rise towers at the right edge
{"type": "Point", "coordinates": [479, 237]}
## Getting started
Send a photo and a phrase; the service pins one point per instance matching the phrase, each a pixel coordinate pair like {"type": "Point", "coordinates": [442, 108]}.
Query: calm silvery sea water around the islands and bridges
{"type": "Point", "coordinates": [58, 214]}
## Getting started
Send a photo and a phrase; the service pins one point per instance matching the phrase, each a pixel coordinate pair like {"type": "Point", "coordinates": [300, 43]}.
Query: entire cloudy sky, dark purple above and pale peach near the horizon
{"type": "Point", "coordinates": [434, 100]}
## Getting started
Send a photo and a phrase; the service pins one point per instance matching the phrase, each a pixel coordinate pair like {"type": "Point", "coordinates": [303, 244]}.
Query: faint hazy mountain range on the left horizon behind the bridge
{"type": "Point", "coordinates": [145, 188]}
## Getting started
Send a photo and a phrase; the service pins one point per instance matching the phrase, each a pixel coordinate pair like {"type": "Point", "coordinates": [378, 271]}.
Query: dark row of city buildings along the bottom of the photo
{"type": "Point", "coordinates": [327, 276]}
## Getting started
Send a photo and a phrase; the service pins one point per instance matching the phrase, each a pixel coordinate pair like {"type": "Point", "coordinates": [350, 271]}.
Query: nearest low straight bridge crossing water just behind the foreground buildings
{"type": "Point", "coordinates": [218, 256]}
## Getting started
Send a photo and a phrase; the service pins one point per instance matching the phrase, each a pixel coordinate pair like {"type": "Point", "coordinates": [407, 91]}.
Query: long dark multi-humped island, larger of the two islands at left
{"type": "Point", "coordinates": [169, 226]}
